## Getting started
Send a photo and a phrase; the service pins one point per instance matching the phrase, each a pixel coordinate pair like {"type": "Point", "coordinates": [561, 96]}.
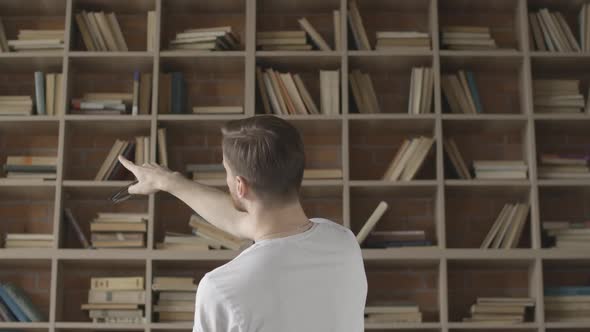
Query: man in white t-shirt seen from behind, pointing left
{"type": "Point", "coordinates": [300, 274]}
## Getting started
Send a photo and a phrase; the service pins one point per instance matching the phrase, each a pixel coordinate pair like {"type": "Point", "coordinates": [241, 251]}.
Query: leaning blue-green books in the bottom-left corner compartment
{"type": "Point", "coordinates": [16, 305]}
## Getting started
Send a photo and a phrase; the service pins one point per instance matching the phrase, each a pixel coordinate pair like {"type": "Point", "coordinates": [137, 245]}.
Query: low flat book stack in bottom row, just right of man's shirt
{"type": "Point", "coordinates": [382, 312]}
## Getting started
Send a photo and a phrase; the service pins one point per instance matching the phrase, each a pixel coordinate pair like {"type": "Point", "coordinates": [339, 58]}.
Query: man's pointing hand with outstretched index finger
{"type": "Point", "coordinates": [151, 177]}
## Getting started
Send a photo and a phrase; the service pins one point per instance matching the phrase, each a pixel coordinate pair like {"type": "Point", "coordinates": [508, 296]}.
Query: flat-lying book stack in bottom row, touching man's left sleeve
{"type": "Point", "coordinates": [176, 300]}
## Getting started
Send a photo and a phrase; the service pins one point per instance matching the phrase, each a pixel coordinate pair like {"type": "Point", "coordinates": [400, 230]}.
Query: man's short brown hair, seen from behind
{"type": "Point", "coordinates": [267, 152]}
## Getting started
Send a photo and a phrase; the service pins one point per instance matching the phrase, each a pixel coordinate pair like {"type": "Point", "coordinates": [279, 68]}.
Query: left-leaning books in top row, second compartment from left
{"type": "Point", "coordinates": [100, 31]}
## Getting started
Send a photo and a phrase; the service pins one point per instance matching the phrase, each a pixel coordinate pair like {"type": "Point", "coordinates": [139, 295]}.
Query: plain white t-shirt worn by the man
{"type": "Point", "coordinates": [312, 281]}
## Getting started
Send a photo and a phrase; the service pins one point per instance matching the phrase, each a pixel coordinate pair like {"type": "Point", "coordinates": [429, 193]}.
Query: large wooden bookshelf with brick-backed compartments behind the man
{"type": "Point", "coordinates": [455, 214]}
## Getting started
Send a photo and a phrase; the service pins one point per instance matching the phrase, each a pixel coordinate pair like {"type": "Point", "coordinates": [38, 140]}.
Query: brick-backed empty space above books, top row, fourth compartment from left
{"type": "Point", "coordinates": [275, 15]}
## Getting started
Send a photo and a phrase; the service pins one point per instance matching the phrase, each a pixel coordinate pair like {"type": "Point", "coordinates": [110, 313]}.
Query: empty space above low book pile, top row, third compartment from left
{"type": "Point", "coordinates": [178, 16]}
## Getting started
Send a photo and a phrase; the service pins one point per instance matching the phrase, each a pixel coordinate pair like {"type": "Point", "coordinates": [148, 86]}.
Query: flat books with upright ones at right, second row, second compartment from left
{"type": "Point", "coordinates": [109, 103]}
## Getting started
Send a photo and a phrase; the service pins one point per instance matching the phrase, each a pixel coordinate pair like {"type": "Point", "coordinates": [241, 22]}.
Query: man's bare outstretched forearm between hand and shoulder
{"type": "Point", "coordinates": [210, 203]}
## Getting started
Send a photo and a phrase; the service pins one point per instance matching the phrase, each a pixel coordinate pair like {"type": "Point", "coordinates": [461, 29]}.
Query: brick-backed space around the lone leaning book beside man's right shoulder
{"type": "Point", "coordinates": [409, 208]}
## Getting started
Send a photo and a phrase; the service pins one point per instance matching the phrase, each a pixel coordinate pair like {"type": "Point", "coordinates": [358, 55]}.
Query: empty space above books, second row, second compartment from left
{"type": "Point", "coordinates": [104, 74]}
